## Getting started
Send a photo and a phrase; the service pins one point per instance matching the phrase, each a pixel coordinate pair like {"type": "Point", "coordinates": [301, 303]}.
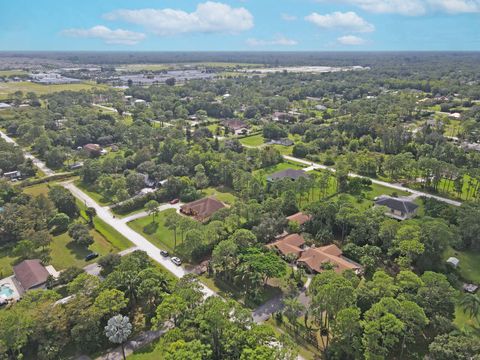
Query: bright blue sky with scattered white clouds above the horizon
{"type": "Point", "coordinates": [168, 25]}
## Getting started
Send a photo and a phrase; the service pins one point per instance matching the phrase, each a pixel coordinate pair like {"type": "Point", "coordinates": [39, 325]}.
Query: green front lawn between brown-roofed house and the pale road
{"type": "Point", "coordinates": [156, 232]}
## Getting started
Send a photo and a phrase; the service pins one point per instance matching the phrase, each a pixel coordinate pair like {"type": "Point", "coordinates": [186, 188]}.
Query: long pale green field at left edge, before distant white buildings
{"type": "Point", "coordinates": [9, 88]}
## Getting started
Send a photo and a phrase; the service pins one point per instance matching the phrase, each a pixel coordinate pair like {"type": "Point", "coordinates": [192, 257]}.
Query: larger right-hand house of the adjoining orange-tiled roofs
{"type": "Point", "coordinates": [327, 257]}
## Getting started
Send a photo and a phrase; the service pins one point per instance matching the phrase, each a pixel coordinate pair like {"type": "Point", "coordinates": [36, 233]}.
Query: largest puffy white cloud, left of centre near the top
{"type": "Point", "coordinates": [208, 17]}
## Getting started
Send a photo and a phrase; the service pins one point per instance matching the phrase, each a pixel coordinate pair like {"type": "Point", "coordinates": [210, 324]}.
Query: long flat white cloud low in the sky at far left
{"type": "Point", "coordinates": [118, 36]}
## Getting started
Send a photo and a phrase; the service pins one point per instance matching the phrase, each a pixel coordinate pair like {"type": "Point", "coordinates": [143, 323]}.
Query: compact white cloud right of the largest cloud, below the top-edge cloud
{"type": "Point", "coordinates": [348, 21]}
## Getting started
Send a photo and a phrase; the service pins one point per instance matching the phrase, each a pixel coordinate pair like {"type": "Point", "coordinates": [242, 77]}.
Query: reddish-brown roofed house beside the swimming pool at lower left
{"type": "Point", "coordinates": [31, 274]}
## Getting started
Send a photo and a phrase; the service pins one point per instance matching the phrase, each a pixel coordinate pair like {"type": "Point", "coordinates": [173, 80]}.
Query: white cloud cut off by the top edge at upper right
{"type": "Point", "coordinates": [414, 7]}
